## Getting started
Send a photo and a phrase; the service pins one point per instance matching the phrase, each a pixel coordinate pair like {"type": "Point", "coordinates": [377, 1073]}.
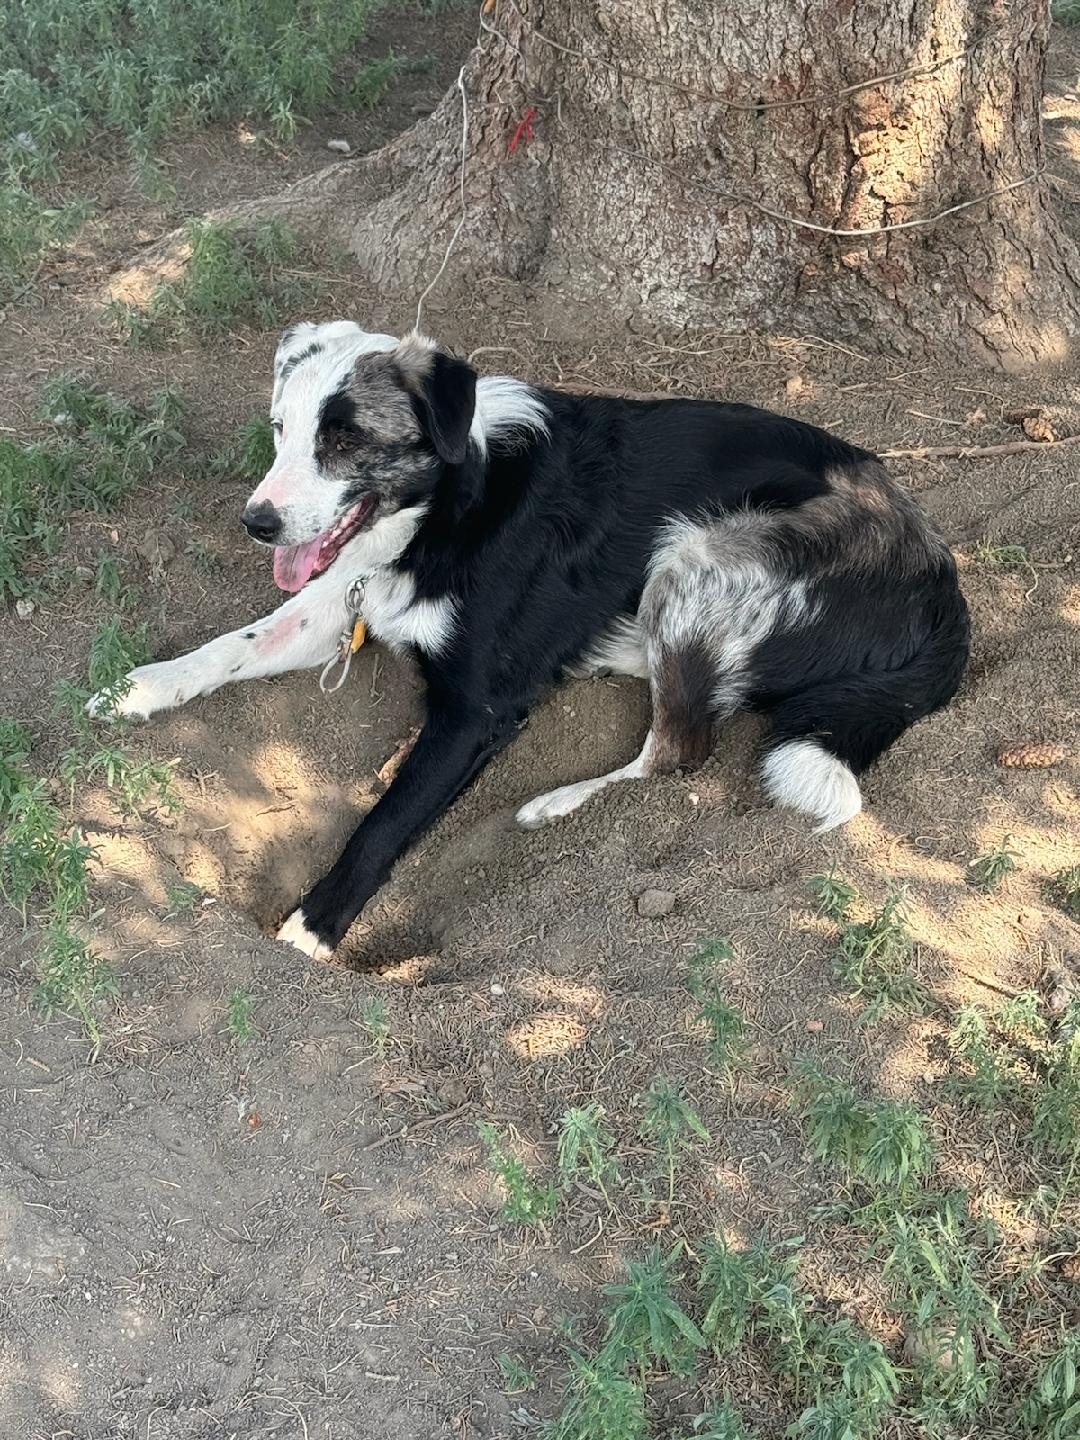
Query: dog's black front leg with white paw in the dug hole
{"type": "Point", "coordinates": [449, 755]}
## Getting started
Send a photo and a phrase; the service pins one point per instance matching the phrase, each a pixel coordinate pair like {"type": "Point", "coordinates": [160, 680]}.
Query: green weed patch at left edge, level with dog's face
{"type": "Point", "coordinates": [97, 451]}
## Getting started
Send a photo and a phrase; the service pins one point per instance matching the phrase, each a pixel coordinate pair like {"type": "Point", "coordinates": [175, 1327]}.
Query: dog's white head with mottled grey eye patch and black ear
{"type": "Point", "coordinates": [364, 427]}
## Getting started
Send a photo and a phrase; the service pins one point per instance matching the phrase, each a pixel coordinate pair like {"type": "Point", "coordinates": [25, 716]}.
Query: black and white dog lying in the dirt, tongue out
{"type": "Point", "coordinates": [506, 536]}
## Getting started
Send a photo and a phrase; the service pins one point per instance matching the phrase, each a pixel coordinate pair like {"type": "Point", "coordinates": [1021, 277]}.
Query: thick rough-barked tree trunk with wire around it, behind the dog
{"type": "Point", "coordinates": [686, 162]}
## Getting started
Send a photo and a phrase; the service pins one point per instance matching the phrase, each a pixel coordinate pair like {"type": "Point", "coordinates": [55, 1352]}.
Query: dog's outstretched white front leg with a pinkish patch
{"type": "Point", "coordinates": [305, 631]}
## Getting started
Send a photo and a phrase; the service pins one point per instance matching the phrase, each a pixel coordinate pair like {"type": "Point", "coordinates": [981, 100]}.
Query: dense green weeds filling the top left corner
{"type": "Point", "coordinates": [73, 71]}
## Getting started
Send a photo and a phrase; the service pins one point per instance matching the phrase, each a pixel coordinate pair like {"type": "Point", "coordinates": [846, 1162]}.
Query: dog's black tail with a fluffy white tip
{"type": "Point", "coordinates": [830, 732]}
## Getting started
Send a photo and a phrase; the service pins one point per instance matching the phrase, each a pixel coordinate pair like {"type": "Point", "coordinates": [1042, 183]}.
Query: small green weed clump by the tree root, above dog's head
{"type": "Point", "coordinates": [235, 274]}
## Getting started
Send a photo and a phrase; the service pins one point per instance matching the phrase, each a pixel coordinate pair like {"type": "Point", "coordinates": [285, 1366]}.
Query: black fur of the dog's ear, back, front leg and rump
{"type": "Point", "coordinates": [545, 544]}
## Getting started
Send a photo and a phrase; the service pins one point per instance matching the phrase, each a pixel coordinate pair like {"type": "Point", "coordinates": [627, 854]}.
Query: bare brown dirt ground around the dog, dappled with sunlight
{"type": "Point", "coordinates": [299, 1238]}
